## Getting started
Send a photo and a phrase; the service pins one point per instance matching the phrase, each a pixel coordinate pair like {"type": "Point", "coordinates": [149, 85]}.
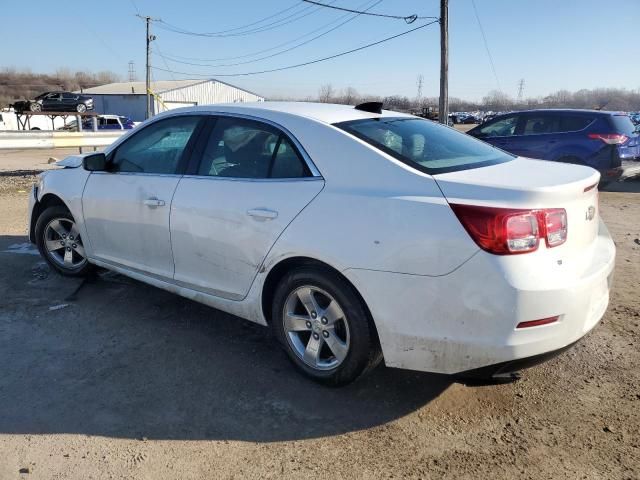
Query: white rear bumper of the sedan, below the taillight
{"type": "Point", "coordinates": [467, 320]}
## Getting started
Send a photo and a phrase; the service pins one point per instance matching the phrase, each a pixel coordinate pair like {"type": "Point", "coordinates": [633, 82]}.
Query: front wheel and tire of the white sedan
{"type": "Point", "coordinates": [55, 227]}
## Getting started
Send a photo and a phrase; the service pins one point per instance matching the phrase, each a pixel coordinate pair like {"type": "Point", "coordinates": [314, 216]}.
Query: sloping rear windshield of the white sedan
{"type": "Point", "coordinates": [425, 145]}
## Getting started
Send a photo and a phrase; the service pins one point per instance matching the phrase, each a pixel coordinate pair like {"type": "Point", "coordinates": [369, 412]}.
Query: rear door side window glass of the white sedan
{"type": "Point", "coordinates": [240, 148]}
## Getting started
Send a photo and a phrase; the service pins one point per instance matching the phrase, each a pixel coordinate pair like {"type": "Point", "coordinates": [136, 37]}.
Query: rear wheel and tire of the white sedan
{"type": "Point", "coordinates": [334, 324]}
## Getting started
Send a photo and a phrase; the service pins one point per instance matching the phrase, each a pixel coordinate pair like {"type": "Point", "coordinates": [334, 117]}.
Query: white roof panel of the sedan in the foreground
{"type": "Point", "coordinates": [323, 112]}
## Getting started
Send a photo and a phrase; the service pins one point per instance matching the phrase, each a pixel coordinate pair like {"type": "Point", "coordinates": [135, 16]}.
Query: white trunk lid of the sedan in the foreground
{"type": "Point", "coordinates": [532, 184]}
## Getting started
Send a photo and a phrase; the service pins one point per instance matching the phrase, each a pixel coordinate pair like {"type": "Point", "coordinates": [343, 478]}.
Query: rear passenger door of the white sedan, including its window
{"type": "Point", "coordinates": [250, 181]}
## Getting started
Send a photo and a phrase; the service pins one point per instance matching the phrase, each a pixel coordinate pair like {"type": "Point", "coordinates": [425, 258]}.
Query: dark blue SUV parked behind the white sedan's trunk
{"type": "Point", "coordinates": [606, 141]}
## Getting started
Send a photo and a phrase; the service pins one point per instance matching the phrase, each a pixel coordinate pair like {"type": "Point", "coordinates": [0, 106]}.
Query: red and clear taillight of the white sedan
{"type": "Point", "coordinates": [505, 231]}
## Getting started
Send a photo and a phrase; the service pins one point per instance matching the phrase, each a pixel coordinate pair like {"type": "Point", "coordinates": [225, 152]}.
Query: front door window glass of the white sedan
{"type": "Point", "coordinates": [157, 148]}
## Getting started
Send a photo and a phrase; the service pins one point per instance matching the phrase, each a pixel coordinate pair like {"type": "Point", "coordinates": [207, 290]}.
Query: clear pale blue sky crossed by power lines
{"type": "Point", "coordinates": [551, 44]}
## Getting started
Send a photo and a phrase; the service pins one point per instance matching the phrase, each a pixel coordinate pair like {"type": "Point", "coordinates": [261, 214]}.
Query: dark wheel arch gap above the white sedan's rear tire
{"type": "Point", "coordinates": [278, 271]}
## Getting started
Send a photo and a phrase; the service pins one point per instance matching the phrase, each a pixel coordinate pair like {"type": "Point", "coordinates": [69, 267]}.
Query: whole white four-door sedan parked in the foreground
{"type": "Point", "coordinates": [356, 234]}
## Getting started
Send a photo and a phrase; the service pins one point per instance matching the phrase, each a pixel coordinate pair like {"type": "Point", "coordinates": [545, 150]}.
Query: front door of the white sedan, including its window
{"type": "Point", "coordinates": [126, 210]}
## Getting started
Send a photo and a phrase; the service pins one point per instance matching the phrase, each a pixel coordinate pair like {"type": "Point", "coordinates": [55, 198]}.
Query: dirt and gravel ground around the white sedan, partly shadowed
{"type": "Point", "coordinates": [111, 378]}
